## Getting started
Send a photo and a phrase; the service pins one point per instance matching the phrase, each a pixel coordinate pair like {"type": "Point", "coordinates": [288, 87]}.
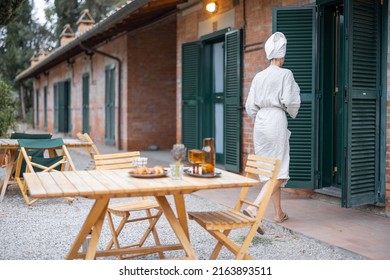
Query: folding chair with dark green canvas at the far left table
{"type": "Point", "coordinates": [28, 162]}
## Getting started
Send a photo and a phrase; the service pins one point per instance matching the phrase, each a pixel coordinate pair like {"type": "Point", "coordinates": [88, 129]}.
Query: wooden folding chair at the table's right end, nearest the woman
{"type": "Point", "coordinates": [220, 223]}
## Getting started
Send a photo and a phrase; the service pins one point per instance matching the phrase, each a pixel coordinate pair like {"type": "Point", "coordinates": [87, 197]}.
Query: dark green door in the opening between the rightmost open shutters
{"type": "Point", "coordinates": [332, 106]}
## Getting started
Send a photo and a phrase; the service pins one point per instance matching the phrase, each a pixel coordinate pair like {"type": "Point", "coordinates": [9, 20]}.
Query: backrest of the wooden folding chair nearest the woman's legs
{"type": "Point", "coordinates": [263, 167]}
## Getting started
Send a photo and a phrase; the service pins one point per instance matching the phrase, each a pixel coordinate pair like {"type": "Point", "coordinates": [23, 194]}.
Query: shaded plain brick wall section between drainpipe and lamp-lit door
{"type": "Point", "coordinates": [151, 112]}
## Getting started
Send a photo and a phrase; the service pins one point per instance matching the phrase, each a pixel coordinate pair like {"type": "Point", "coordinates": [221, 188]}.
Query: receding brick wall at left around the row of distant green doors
{"type": "Point", "coordinates": [95, 66]}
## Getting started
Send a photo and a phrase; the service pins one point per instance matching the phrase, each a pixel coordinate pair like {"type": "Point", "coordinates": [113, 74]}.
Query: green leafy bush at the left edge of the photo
{"type": "Point", "coordinates": [7, 109]}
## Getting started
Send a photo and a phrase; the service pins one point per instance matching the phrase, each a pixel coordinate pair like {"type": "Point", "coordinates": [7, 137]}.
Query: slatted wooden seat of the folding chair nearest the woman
{"type": "Point", "coordinates": [220, 220]}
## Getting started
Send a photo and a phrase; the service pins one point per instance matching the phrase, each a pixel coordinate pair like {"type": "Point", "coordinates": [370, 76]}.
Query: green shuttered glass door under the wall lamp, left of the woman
{"type": "Point", "coordinates": [211, 95]}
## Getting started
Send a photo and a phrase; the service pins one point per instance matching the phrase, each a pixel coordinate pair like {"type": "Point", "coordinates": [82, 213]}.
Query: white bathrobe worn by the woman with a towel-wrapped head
{"type": "Point", "coordinates": [273, 93]}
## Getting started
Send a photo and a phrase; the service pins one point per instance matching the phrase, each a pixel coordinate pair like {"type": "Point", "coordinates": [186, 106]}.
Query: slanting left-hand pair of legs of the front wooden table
{"type": "Point", "coordinates": [93, 222]}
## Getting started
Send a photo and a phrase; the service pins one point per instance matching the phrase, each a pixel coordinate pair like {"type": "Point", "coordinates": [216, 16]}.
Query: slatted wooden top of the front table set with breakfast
{"type": "Point", "coordinates": [118, 183]}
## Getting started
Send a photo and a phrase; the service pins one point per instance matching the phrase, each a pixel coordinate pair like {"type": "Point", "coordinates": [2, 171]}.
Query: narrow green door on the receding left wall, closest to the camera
{"type": "Point", "coordinates": [110, 105]}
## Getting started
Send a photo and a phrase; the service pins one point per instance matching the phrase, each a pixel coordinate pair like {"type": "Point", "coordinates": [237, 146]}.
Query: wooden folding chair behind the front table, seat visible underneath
{"type": "Point", "coordinates": [124, 210]}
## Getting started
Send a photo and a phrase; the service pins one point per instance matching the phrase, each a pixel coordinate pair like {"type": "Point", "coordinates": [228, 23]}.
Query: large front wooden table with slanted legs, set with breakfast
{"type": "Point", "coordinates": [102, 185]}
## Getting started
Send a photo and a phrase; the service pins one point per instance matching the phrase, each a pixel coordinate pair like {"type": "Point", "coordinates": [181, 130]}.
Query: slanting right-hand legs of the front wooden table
{"type": "Point", "coordinates": [176, 225]}
